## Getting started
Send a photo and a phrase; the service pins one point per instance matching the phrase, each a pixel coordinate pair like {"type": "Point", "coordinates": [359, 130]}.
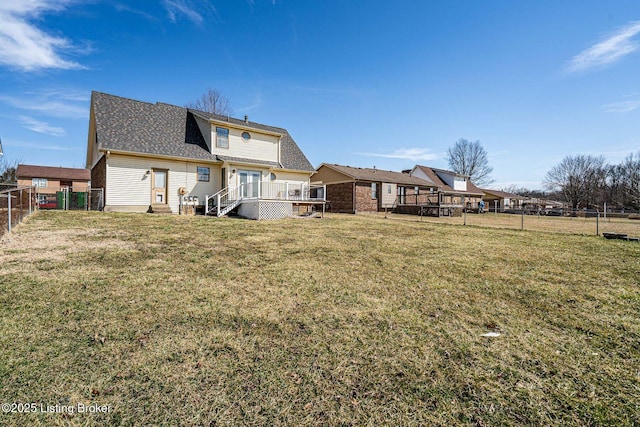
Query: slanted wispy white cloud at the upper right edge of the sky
{"type": "Point", "coordinates": [613, 48]}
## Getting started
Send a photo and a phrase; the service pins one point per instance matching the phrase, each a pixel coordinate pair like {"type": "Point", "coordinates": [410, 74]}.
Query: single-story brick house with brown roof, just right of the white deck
{"type": "Point", "coordinates": [356, 190]}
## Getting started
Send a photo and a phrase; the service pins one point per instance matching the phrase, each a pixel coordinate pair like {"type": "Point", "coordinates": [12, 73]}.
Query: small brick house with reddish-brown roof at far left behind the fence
{"type": "Point", "coordinates": [51, 179]}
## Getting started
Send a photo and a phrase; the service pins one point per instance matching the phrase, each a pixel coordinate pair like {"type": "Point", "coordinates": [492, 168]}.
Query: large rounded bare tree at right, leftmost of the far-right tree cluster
{"type": "Point", "coordinates": [581, 179]}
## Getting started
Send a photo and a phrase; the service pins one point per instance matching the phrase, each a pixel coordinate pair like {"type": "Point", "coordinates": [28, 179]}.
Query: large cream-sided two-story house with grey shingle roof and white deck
{"type": "Point", "coordinates": [165, 158]}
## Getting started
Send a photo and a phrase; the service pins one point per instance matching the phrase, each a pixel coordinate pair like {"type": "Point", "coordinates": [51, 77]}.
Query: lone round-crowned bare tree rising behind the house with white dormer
{"type": "Point", "coordinates": [470, 158]}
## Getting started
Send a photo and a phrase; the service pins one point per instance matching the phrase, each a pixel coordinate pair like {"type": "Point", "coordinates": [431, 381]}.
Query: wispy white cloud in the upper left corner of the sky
{"type": "Point", "coordinates": [23, 45]}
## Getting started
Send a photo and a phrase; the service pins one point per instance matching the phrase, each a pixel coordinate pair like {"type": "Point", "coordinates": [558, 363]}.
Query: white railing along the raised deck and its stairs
{"type": "Point", "coordinates": [225, 200]}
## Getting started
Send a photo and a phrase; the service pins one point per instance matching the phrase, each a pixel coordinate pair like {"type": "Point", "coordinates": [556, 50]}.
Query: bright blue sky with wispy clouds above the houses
{"type": "Point", "coordinates": [356, 82]}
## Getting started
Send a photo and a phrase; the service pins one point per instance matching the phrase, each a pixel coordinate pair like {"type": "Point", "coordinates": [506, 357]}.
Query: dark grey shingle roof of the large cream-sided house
{"type": "Point", "coordinates": [128, 125]}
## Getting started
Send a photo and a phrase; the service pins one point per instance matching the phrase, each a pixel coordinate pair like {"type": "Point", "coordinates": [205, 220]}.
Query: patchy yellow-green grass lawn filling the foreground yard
{"type": "Point", "coordinates": [351, 320]}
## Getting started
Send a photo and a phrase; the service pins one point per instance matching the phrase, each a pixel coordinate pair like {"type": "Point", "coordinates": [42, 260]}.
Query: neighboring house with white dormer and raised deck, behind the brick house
{"type": "Point", "coordinates": [455, 191]}
